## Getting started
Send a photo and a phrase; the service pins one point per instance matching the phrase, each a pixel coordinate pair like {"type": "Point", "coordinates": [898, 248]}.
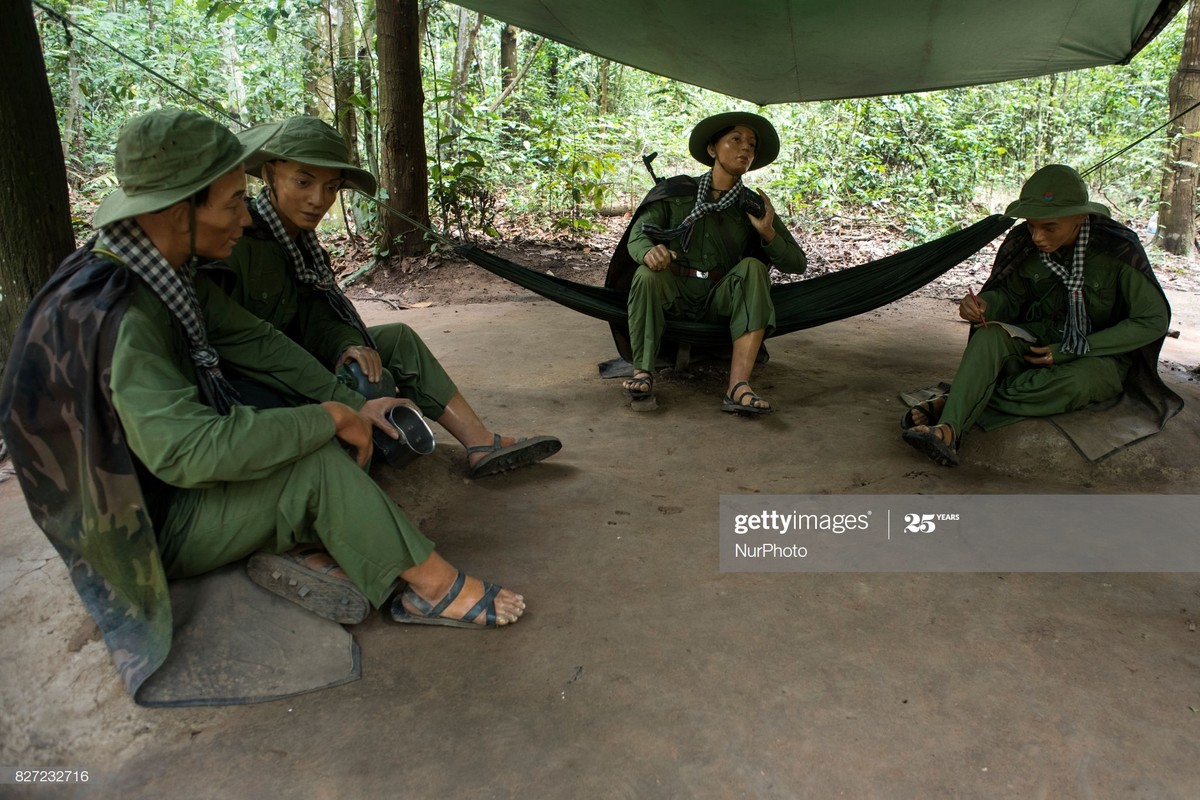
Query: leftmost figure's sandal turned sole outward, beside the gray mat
{"type": "Point", "coordinates": [315, 590]}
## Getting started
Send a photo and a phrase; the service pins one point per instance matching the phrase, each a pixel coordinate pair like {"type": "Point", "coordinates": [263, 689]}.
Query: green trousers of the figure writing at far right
{"type": "Point", "coordinates": [997, 386]}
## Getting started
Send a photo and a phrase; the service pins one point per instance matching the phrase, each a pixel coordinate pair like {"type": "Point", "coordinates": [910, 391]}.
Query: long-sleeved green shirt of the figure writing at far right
{"type": "Point", "coordinates": [1126, 310]}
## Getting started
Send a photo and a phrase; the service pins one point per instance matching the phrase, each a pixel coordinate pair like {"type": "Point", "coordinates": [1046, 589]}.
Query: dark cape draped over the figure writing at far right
{"type": "Point", "coordinates": [1144, 384]}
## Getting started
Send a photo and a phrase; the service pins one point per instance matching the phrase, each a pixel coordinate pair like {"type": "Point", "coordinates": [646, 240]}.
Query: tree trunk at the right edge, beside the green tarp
{"type": "Point", "coordinates": [1177, 215]}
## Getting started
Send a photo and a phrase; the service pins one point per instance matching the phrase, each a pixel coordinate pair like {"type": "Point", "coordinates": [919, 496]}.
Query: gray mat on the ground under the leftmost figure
{"type": "Point", "coordinates": [238, 643]}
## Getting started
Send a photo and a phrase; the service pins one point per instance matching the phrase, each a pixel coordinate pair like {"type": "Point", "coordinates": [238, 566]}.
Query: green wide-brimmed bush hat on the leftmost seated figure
{"type": "Point", "coordinates": [167, 157]}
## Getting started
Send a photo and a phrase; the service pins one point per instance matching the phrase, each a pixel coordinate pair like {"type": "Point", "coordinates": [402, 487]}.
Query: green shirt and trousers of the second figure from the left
{"type": "Point", "coordinates": [261, 278]}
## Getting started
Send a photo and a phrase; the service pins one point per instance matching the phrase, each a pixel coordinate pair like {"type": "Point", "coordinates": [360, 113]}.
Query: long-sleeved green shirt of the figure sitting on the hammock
{"type": "Point", "coordinates": [707, 251]}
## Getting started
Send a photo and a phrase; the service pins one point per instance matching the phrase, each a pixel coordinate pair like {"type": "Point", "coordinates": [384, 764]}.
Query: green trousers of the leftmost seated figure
{"type": "Point", "coordinates": [323, 498]}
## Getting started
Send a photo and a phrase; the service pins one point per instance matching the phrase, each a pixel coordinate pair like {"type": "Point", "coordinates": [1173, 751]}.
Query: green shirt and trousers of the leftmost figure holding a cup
{"type": "Point", "coordinates": [229, 486]}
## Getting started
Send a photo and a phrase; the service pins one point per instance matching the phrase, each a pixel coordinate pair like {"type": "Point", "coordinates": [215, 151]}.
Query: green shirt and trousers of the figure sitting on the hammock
{"type": "Point", "coordinates": [737, 286]}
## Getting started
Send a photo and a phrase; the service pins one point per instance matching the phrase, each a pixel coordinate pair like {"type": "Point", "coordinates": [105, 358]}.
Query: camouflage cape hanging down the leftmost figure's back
{"type": "Point", "coordinates": [81, 482]}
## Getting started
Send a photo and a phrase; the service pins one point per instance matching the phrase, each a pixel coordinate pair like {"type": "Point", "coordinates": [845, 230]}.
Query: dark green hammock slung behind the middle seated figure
{"type": "Point", "coordinates": [800, 305]}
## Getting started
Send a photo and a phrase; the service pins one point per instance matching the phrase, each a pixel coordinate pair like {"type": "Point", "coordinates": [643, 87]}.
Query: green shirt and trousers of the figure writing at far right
{"type": "Point", "coordinates": [995, 386]}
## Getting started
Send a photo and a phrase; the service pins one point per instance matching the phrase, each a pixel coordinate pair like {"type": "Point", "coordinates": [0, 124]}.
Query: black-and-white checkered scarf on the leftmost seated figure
{"type": "Point", "coordinates": [127, 243]}
